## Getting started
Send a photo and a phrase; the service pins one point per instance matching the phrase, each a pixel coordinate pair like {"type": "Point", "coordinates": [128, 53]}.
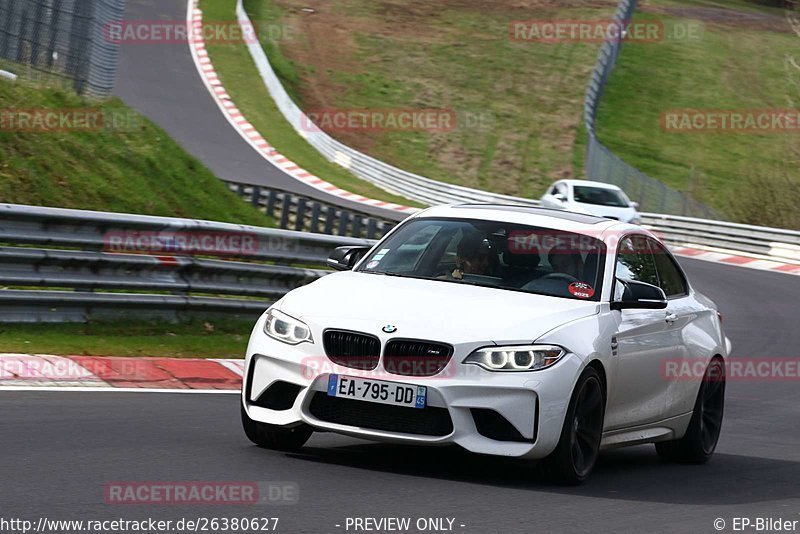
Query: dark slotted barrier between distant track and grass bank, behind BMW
{"type": "Point", "coordinates": [304, 214]}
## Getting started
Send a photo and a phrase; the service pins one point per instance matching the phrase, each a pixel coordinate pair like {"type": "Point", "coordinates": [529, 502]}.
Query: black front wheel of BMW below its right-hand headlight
{"type": "Point", "coordinates": [574, 457]}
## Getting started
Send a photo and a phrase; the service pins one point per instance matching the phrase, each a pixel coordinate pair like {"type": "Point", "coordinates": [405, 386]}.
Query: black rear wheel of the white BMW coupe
{"type": "Point", "coordinates": [698, 444]}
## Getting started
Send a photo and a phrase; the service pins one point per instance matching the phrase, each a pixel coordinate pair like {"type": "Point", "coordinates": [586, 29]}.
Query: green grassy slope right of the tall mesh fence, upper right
{"type": "Point", "coordinates": [740, 62]}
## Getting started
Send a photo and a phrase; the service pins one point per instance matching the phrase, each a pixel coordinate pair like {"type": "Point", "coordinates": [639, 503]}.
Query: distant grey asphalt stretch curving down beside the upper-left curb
{"type": "Point", "coordinates": [160, 81]}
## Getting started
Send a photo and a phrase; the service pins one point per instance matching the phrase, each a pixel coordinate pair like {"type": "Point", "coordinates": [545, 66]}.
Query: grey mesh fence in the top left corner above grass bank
{"type": "Point", "coordinates": [62, 42]}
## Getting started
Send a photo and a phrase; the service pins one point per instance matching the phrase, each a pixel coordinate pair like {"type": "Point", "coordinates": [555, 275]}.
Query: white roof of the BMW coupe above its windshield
{"type": "Point", "coordinates": [528, 215]}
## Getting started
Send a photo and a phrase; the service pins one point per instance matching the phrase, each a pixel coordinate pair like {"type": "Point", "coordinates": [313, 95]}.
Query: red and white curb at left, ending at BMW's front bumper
{"type": "Point", "coordinates": [107, 373]}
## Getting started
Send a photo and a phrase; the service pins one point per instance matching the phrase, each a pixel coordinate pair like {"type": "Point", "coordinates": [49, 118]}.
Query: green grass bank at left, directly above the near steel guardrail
{"type": "Point", "coordinates": [130, 166]}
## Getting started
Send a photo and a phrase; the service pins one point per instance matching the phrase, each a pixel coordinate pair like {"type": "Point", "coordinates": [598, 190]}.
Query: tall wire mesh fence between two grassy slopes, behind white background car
{"type": "Point", "coordinates": [603, 165]}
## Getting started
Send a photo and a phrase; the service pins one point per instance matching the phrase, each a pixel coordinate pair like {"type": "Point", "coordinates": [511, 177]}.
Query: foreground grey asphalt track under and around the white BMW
{"type": "Point", "coordinates": [60, 449]}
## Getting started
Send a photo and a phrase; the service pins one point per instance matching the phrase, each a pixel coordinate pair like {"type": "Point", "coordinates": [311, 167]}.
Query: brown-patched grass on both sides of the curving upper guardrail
{"type": "Point", "coordinates": [517, 104]}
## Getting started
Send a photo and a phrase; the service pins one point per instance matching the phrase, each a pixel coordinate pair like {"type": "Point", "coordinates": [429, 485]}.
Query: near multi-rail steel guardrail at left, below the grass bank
{"type": "Point", "coordinates": [70, 265]}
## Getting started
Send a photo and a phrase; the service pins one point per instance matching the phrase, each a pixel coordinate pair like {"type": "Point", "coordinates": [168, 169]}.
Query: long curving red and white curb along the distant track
{"type": "Point", "coordinates": [249, 133]}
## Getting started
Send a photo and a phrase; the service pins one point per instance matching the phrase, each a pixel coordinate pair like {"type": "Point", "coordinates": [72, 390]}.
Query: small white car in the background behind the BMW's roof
{"type": "Point", "coordinates": [594, 198]}
